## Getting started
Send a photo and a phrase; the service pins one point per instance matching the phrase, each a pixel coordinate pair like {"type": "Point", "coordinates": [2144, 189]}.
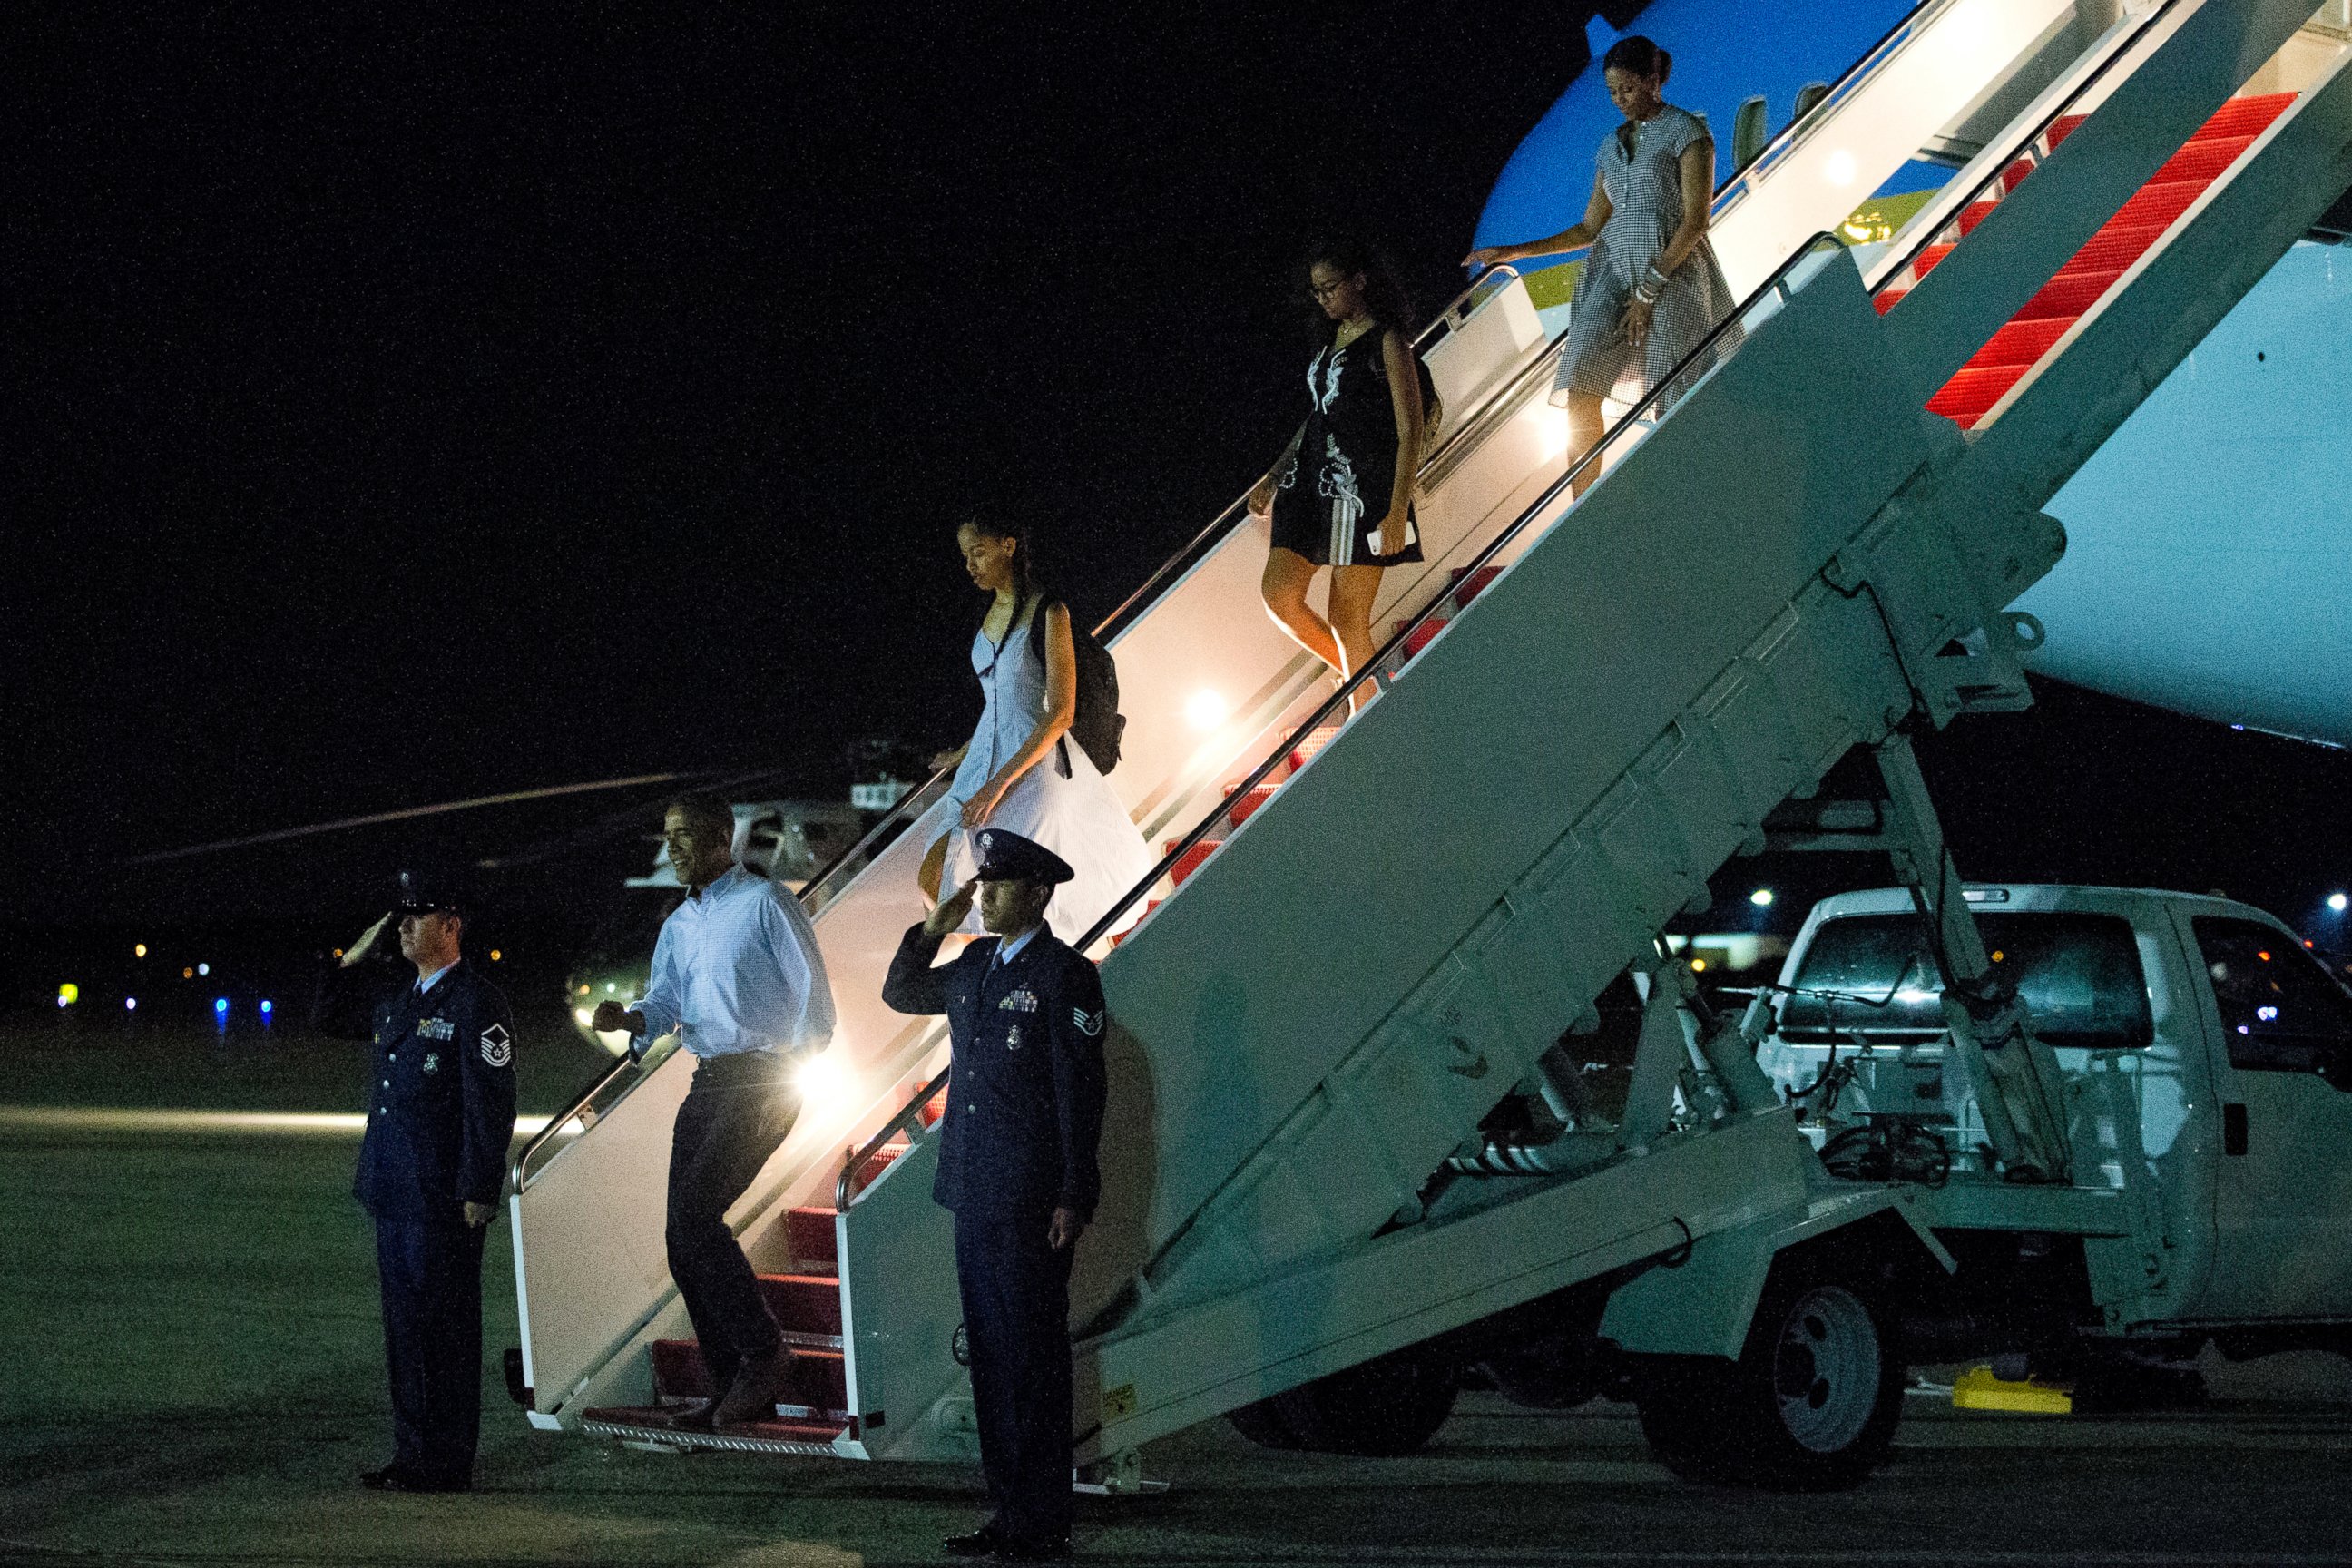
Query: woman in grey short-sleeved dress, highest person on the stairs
{"type": "Point", "coordinates": [1652, 288]}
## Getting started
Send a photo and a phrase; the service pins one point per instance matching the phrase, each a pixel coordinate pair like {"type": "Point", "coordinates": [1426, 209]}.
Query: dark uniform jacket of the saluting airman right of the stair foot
{"type": "Point", "coordinates": [1027, 1094]}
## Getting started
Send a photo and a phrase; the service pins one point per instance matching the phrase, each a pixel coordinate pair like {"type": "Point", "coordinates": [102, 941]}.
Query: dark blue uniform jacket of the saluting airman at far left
{"type": "Point", "coordinates": [441, 1104]}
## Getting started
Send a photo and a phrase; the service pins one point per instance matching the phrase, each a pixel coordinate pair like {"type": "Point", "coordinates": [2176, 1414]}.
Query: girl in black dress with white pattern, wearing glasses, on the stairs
{"type": "Point", "coordinates": [1344, 492]}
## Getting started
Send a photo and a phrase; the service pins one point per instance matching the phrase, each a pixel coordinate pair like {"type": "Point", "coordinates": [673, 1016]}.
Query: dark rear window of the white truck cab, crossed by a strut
{"type": "Point", "coordinates": [1871, 979]}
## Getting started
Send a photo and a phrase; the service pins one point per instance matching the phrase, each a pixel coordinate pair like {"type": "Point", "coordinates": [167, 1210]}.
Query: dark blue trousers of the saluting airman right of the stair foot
{"type": "Point", "coordinates": [1017, 1327]}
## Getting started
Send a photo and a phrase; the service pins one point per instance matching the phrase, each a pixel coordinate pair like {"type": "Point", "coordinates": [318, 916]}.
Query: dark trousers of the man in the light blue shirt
{"type": "Point", "coordinates": [735, 1115]}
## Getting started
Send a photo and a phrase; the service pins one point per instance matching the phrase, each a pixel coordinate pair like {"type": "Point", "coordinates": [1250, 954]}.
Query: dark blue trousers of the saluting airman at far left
{"type": "Point", "coordinates": [434, 1343]}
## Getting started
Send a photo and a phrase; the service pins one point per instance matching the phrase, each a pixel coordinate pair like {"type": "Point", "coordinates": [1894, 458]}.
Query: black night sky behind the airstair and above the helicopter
{"type": "Point", "coordinates": [434, 403]}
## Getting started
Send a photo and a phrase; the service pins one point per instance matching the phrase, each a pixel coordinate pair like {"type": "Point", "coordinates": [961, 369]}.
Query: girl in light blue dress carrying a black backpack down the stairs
{"type": "Point", "coordinates": [1022, 768]}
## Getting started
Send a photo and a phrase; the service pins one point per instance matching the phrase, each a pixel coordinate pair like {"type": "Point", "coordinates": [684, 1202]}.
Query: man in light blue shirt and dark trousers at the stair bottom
{"type": "Point", "coordinates": [740, 977]}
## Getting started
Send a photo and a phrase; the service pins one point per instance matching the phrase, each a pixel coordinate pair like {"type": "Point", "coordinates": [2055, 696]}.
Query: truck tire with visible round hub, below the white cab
{"type": "Point", "coordinates": [1812, 1405]}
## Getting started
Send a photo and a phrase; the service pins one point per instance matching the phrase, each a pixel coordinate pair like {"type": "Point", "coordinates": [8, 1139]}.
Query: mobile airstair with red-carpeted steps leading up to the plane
{"type": "Point", "coordinates": [1375, 927]}
